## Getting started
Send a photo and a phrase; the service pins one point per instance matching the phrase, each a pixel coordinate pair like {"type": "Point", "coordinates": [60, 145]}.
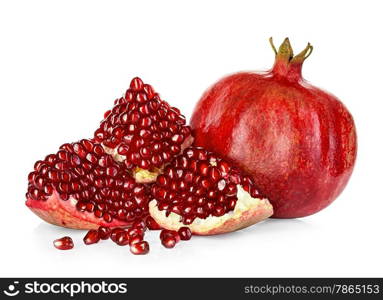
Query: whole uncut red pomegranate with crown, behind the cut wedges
{"type": "Point", "coordinates": [297, 141]}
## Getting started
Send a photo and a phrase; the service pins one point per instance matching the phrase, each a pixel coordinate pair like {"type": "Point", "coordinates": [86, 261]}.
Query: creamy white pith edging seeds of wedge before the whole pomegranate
{"type": "Point", "coordinates": [244, 203]}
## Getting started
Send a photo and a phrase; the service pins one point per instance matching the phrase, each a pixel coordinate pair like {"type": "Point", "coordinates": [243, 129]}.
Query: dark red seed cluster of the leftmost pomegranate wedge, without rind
{"type": "Point", "coordinates": [83, 171]}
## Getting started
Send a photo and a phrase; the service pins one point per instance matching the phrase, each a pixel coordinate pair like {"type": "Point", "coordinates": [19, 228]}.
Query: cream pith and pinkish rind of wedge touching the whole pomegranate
{"type": "Point", "coordinates": [248, 211]}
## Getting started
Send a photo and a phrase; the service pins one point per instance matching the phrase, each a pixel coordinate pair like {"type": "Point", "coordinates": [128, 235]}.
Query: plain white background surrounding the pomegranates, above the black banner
{"type": "Point", "coordinates": [62, 63]}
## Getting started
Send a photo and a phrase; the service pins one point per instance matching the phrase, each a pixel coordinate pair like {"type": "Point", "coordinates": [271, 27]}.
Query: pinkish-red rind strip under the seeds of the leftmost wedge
{"type": "Point", "coordinates": [65, 214]}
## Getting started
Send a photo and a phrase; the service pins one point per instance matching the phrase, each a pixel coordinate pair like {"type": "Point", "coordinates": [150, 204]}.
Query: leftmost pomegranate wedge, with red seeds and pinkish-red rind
{"type": "Point", "coordinates": [82, 187]}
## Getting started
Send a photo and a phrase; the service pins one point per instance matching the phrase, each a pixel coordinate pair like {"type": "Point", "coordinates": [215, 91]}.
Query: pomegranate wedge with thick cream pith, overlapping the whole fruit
{"type": "Point", "coordinates": [202, 191]}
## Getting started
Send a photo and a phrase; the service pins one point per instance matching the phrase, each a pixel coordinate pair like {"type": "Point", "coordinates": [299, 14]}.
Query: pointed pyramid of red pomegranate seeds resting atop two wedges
{"type": "Point", "coordinates": [144, 131]}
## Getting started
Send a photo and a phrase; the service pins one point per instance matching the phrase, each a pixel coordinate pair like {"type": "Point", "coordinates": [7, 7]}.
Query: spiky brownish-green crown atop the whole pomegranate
{"type": "Point", "coordinates": [287, 65]}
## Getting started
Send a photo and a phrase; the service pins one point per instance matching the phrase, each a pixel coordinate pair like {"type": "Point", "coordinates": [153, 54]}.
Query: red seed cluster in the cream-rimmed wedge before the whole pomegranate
{"type": "Point", "coordinates": [200, 184]}
